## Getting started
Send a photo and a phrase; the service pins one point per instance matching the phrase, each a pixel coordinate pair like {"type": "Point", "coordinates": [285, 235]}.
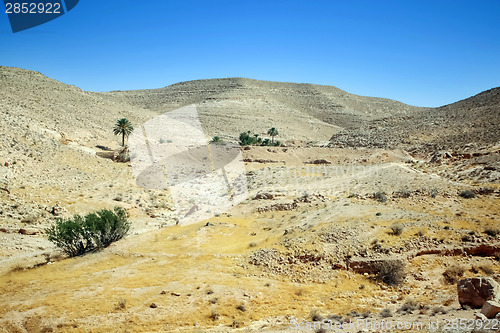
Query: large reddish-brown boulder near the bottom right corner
{"type": "Point", "coordinates": [474, 292]}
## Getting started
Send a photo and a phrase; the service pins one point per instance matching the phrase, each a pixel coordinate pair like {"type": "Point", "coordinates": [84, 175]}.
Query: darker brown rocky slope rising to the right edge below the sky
{"type": "Point", "coordinates": [468, 124]}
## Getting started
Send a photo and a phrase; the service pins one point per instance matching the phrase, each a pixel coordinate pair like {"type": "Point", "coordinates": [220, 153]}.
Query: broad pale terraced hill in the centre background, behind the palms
{"type": "Point", "coordinates": [302, 112]}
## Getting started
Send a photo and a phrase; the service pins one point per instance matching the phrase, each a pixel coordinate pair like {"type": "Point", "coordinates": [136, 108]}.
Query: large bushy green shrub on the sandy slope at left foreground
{"type": "Point", "coordinates": [94, 231]}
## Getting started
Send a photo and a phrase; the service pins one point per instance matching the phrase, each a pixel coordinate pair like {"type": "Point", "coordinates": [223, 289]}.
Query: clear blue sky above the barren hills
{"type": "Point", "coordinates": [426, 53]}
